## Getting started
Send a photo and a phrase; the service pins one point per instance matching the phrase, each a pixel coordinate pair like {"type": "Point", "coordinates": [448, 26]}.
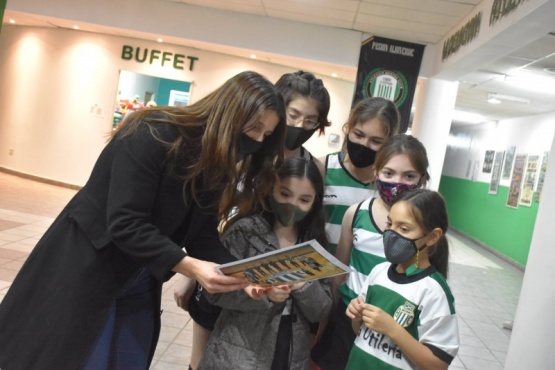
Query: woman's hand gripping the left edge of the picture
{"type": "Point", "coordinates": [207, 276]}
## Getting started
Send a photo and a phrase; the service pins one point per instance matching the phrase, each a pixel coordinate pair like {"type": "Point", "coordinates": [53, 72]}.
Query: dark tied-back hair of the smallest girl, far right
{"type": "Point", "coordinates": [429, 210]}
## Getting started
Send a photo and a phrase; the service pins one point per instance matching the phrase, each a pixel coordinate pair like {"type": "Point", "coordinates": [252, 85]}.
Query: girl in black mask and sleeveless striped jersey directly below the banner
{"type": "Point", "coordinates": [348, 173]}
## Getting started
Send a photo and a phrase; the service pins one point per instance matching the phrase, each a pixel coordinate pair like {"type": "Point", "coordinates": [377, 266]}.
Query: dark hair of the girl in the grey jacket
{"type": "Point", "coordinates": [313, 225]}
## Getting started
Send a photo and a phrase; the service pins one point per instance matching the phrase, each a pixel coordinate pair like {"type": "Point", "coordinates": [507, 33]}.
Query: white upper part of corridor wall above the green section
{"type": "Point", "coordinates": [468, 144]}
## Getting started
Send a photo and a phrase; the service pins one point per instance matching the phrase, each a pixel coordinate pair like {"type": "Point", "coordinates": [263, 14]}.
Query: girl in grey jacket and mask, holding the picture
{"type": "Point", "coordinates": [272, 332]}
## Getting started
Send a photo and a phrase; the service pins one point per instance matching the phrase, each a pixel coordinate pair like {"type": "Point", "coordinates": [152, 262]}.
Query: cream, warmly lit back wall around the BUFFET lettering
{"type": "Point", "coordinates": [52, 77]}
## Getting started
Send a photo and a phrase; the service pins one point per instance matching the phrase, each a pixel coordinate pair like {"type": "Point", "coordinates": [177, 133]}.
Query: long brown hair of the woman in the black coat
{"type": "Point", "coordinates": [205, 155]}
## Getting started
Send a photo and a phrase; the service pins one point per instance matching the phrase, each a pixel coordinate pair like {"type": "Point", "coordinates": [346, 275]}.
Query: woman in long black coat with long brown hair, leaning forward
{"type": "Point", "coordinates": [88, 296]}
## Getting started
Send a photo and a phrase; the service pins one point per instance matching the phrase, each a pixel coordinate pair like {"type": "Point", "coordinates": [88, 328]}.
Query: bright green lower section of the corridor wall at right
{"type": "Point", "coordinates": [486, 217]}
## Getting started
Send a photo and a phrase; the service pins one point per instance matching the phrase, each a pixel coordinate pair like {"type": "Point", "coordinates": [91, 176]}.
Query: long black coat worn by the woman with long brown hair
{"type": "Point", "coordinates": [129, 215]}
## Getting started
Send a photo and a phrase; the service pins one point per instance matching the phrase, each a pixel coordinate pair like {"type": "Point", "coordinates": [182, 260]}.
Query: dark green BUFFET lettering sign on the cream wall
{"type": "Point", "coordinates": [153, 56]}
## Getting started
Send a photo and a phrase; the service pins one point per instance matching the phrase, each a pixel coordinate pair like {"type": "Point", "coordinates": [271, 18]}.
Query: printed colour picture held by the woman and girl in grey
{"type": "Point", "coordinates": [300, 262]}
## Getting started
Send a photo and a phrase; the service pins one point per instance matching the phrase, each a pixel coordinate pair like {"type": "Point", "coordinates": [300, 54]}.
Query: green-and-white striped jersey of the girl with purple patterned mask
{"type": "Point", "coordinates": [367, 251]}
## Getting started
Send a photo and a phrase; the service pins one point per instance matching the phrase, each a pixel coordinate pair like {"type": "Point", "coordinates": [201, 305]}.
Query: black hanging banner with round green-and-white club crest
{"type": "Point", "coordinates": [389, 69]}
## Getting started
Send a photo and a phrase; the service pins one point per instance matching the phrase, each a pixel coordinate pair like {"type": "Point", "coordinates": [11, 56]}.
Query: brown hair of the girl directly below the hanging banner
{"type": "Point", "coordinates": [375, 107]}
